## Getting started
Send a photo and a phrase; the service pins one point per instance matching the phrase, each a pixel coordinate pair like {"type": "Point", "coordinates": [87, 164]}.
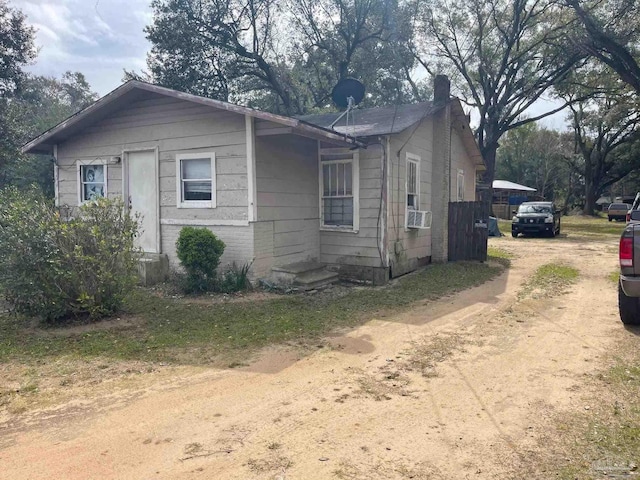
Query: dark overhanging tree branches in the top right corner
{"type": "Point", "coordinates": [611, 33]}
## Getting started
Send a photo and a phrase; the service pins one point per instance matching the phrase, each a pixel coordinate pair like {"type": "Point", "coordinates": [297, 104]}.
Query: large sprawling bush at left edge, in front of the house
{"type": "Point", "coordinates": [54, 268]}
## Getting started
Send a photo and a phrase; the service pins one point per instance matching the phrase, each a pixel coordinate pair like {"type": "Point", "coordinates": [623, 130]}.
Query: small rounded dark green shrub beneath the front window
{"type": "Point", "coordinates": [199, 252]}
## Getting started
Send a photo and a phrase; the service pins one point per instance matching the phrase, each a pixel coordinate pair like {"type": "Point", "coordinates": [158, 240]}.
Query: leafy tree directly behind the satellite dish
{"type": "Point", "coordinates": [365, 38]}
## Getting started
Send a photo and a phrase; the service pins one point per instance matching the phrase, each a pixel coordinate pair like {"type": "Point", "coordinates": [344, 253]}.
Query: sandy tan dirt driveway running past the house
{"type": "Point", "coordinates": [462, 388]}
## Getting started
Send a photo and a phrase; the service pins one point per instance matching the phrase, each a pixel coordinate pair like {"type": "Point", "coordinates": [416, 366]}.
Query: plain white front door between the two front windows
{"type": "Point", "coordinates": [142, 189]}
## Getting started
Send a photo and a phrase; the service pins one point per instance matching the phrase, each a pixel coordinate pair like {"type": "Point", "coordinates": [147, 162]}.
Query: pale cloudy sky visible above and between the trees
{"type": "Point", "coordinates": [102, 38]}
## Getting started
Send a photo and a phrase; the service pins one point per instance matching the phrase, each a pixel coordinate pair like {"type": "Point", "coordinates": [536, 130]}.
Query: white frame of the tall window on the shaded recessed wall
{"type": "Point", "coordinates": [355, 186]}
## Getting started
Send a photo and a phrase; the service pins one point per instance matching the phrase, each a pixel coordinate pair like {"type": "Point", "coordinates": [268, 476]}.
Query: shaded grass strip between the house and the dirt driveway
{"type": "Point", "coordinates": [191, 332]}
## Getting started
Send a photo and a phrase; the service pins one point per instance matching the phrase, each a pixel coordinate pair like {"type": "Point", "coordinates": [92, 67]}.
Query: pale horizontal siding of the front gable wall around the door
{"type": "Point", "coordinates": [173, 126]}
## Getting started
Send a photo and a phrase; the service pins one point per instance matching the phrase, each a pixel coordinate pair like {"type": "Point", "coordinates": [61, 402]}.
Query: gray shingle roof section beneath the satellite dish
{"type": "Point", "coordinates": [375, 121]}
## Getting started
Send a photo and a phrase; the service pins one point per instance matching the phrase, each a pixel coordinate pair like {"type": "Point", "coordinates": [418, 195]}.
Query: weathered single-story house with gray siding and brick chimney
{"type": "Point", "coordinates": [366, 200]}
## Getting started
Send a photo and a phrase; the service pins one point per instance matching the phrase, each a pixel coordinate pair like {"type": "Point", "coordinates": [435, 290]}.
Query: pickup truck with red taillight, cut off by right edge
{"type": "Point", "coordinates": [629, 283]}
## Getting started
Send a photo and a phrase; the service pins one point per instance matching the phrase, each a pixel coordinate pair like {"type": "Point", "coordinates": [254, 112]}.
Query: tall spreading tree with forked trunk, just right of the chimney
{"type": "Point", "coordinates": [506, 54]}
